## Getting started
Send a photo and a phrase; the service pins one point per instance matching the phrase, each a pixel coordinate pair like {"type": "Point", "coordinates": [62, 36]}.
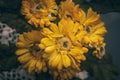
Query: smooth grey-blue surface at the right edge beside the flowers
{"type": "Point", "coordinates": [112, 21]}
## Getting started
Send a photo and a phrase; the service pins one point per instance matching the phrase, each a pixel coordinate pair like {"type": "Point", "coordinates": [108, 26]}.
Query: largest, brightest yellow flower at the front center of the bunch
{"type": "Point", "coordinates": [61, 46]}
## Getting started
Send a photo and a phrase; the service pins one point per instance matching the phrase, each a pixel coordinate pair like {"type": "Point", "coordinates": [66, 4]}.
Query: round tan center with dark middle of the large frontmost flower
{"type": "Point", "coordinates": [65, 43]}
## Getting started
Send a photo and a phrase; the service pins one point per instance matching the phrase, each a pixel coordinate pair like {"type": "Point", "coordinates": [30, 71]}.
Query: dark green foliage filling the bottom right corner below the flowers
{"type": "Point", "coordinates": [100, 69]}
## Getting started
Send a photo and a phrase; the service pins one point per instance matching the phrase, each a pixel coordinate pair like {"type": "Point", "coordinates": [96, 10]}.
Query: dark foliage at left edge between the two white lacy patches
{"type": "Point", "coordinates": [8, 59]}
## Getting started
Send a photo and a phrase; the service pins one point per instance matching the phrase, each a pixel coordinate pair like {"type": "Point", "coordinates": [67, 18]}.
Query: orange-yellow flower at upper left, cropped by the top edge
{"type": "Point", "coordinates": [39, 12]}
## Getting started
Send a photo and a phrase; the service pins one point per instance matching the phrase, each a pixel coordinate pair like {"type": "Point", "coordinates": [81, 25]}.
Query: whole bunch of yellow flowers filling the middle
{"type": "Point", "coordinates": [64, 33]}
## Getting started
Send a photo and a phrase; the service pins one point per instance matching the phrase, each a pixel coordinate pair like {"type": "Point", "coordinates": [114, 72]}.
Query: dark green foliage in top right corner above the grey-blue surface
{"type": "Point", "coordinates": [100, 6]}
